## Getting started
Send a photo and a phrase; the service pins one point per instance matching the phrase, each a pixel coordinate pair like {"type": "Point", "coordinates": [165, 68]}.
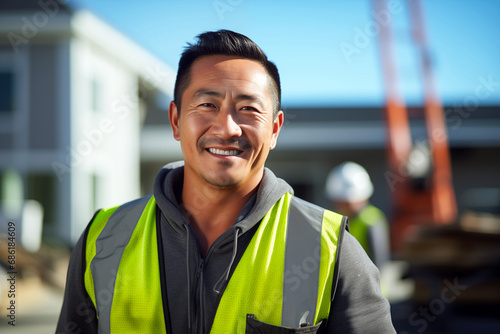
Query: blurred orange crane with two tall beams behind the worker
{"type": "Point", "coordinates": [431, 202]}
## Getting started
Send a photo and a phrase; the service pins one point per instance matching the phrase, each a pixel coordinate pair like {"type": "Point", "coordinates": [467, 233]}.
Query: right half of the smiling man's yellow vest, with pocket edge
{"type": "Point", "coordinates": [285, 276]}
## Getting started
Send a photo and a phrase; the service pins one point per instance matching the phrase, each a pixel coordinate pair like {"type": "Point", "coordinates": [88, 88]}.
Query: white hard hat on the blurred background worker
{"type": "Point", "coordinates": [349, 182]}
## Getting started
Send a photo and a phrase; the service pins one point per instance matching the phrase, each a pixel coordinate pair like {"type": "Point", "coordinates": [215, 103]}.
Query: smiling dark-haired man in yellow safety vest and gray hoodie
{"type": "Point", "coordinates": [222, 245]}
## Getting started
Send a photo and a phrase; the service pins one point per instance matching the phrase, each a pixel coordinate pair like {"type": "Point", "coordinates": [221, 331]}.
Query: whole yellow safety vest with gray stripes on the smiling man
{"type": "Point", "coordinates": [284, 278]}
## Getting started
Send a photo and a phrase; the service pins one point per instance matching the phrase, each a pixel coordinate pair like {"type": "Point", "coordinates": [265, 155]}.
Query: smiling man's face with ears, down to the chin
{"type": "Point", "coordinates": [226, 126]}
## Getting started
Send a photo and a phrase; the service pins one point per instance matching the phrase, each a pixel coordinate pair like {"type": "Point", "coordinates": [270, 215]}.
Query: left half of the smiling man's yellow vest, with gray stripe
{"type": "Point", "coordinates": [122, 278]}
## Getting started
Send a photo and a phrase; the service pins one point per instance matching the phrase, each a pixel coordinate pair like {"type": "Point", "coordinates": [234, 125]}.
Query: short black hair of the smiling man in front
{"type": "Point", "coordinates": [229, 43]}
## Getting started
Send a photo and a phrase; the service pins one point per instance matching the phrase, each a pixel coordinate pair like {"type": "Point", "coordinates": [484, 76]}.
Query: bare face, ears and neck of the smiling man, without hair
{"type": "Point", "coordinates": [226, 128]}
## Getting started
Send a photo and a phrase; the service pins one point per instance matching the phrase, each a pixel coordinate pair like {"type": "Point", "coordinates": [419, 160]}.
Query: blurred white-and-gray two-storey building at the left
{"type": "Point", "coordinates": [74, 93]}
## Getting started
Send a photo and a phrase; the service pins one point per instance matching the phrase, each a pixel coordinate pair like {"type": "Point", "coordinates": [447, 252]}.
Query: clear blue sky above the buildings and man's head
{"type": "Point", "coordinates": [325, 51]}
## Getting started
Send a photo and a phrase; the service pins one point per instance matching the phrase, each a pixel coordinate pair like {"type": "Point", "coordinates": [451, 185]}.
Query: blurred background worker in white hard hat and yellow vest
{"type": "Point", "coordinates": [349, 188]}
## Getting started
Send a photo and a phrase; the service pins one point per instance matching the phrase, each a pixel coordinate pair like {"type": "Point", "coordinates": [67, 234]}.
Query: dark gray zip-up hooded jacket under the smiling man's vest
{"type": "Point", "coordinates": [194, 284]}
